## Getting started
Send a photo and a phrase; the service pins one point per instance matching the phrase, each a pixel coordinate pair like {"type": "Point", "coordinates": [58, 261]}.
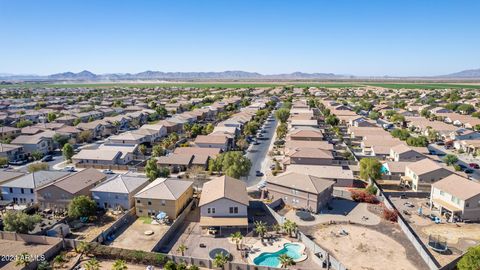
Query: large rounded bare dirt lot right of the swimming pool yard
{"type": "Point", "coordinates": [363, 248]}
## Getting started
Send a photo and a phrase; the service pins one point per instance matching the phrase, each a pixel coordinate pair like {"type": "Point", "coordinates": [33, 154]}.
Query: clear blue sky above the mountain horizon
{"type": "Point", "coordinates": [347, 37]}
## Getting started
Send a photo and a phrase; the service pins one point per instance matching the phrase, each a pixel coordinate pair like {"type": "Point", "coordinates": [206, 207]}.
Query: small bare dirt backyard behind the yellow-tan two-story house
{"type": "Point", "coordinates": [134, 238]}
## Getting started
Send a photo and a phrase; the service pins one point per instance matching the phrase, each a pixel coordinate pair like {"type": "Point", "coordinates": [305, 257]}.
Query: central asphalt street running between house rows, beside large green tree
{"type": "Point", "coordinates": [258, 154]}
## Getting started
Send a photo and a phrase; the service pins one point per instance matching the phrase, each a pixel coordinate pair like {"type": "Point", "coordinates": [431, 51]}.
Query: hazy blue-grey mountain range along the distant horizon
{"type": "Point", "coordinates": [225, 75]}
